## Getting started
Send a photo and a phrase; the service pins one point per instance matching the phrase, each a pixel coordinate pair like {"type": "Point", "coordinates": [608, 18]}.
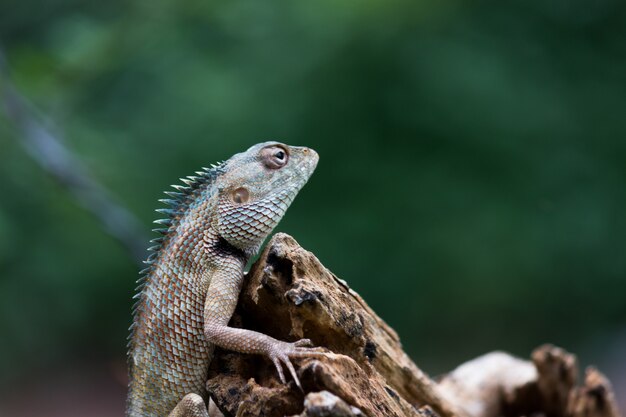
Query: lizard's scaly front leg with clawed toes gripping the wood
{"type": "Point", "coordinates": [220, 304]}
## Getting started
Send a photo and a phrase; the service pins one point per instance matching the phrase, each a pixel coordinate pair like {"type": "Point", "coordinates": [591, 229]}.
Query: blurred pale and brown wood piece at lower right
{"type": "Point", "coordinates": [499, 385]}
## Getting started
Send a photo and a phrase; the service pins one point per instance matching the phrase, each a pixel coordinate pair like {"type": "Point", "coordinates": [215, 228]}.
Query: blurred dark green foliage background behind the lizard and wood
{"type": "Point", "coordinates": [471, 185]}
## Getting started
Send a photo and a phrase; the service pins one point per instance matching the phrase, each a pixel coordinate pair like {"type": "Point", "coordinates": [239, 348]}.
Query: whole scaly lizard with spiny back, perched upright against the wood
{"type": "Point", "coordinates": [194, 278]}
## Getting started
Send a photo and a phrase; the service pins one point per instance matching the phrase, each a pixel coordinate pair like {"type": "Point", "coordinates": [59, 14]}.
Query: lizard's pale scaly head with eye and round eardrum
{"type": "Point", "coordinates": [256, 188]}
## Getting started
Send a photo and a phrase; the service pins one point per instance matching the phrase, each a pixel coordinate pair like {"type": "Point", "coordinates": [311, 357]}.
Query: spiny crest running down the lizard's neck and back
{"type": "Point", "coordinates": [178, 203]}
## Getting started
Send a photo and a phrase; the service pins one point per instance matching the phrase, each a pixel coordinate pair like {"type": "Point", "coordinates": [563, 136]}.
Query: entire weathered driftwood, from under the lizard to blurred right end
{"type": "Point", "coordinates": [290, 295]}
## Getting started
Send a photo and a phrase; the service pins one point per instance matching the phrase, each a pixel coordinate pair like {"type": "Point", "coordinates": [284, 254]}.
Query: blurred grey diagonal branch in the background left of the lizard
{"type": "Point", "coordinates": [56, 159]}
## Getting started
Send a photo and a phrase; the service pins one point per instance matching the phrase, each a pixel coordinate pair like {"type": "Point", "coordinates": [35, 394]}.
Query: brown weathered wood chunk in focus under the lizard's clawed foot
{"type": "Point", "coordinates": [290, 295]}
